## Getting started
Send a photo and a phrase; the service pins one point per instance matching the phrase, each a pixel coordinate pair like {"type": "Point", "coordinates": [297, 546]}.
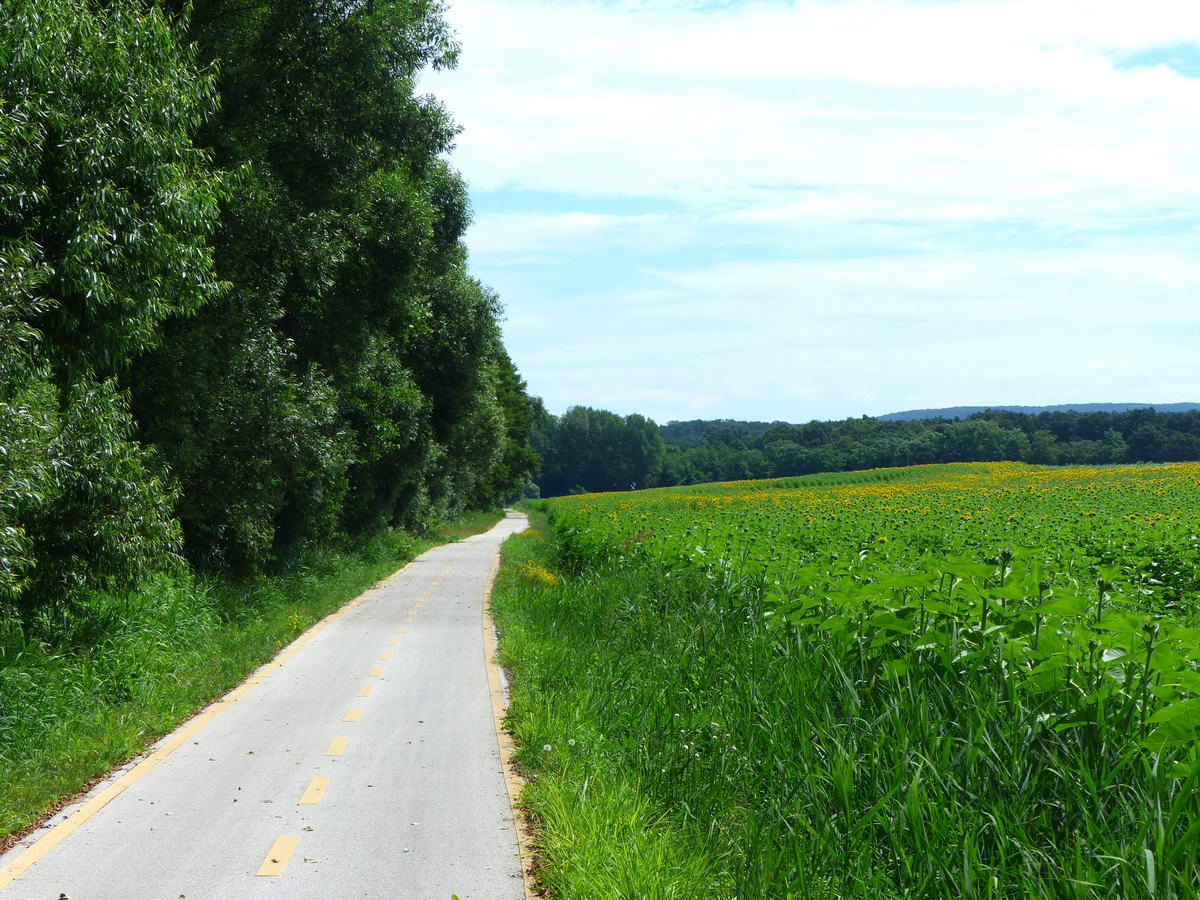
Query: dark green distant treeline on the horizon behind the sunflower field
{"type": "Point", "coordinates": [727, 451]}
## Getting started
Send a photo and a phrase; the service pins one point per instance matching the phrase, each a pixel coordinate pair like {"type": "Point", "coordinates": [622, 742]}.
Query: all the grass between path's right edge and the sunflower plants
{"type": "Point", "coordinates": [779, 764]}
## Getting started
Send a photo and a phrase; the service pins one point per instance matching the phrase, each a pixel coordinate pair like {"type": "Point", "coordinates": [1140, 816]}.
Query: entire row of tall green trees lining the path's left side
{"type": "Point", "coordinates": [235, 304]}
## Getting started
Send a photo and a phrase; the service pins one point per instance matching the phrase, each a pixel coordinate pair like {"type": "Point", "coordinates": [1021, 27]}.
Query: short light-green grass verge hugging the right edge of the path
{"type": "Point", "coordinates": [601, 832]}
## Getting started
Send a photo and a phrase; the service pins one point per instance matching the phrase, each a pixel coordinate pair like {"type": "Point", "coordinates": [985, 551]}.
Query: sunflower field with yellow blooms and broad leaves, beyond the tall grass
{"type": "Point", "coordinates": [1065, 574]}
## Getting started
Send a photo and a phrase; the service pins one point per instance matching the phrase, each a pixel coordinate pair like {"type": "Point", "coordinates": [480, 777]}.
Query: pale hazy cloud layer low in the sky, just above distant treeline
{"type": "Point", "coordinates": [820, 339]}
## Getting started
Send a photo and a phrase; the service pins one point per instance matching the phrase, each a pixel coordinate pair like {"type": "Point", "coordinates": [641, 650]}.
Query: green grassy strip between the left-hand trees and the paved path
{"type": "Point", "coordinates": [83, 691]}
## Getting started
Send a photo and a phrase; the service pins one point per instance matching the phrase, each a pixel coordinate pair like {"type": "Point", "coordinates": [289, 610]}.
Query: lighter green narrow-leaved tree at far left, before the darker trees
{"type": "Point", "coordinates": [106, 214]}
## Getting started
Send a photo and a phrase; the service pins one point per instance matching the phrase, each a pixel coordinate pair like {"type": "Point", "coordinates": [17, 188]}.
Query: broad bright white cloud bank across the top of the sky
{"type": "Point", "coordinates": [919, 97]}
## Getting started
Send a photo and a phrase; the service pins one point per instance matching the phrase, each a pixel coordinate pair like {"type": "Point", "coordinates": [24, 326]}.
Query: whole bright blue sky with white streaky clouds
{"type": "Point", "coordinates": [838, 208]}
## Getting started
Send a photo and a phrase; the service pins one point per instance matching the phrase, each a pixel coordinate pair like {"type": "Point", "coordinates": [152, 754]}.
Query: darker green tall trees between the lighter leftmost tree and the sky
{"type": "Point", "coordinates": [352, 375]}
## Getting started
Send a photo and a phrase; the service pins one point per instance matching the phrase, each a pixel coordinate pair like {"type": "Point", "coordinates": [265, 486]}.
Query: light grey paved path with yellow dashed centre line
{"type": "Point", "coordinates": [362, 764]}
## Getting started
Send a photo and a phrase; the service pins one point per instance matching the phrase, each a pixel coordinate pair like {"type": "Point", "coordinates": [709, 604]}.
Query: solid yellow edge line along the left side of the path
{"type": "Point", "coordinates": [173, 741]}
